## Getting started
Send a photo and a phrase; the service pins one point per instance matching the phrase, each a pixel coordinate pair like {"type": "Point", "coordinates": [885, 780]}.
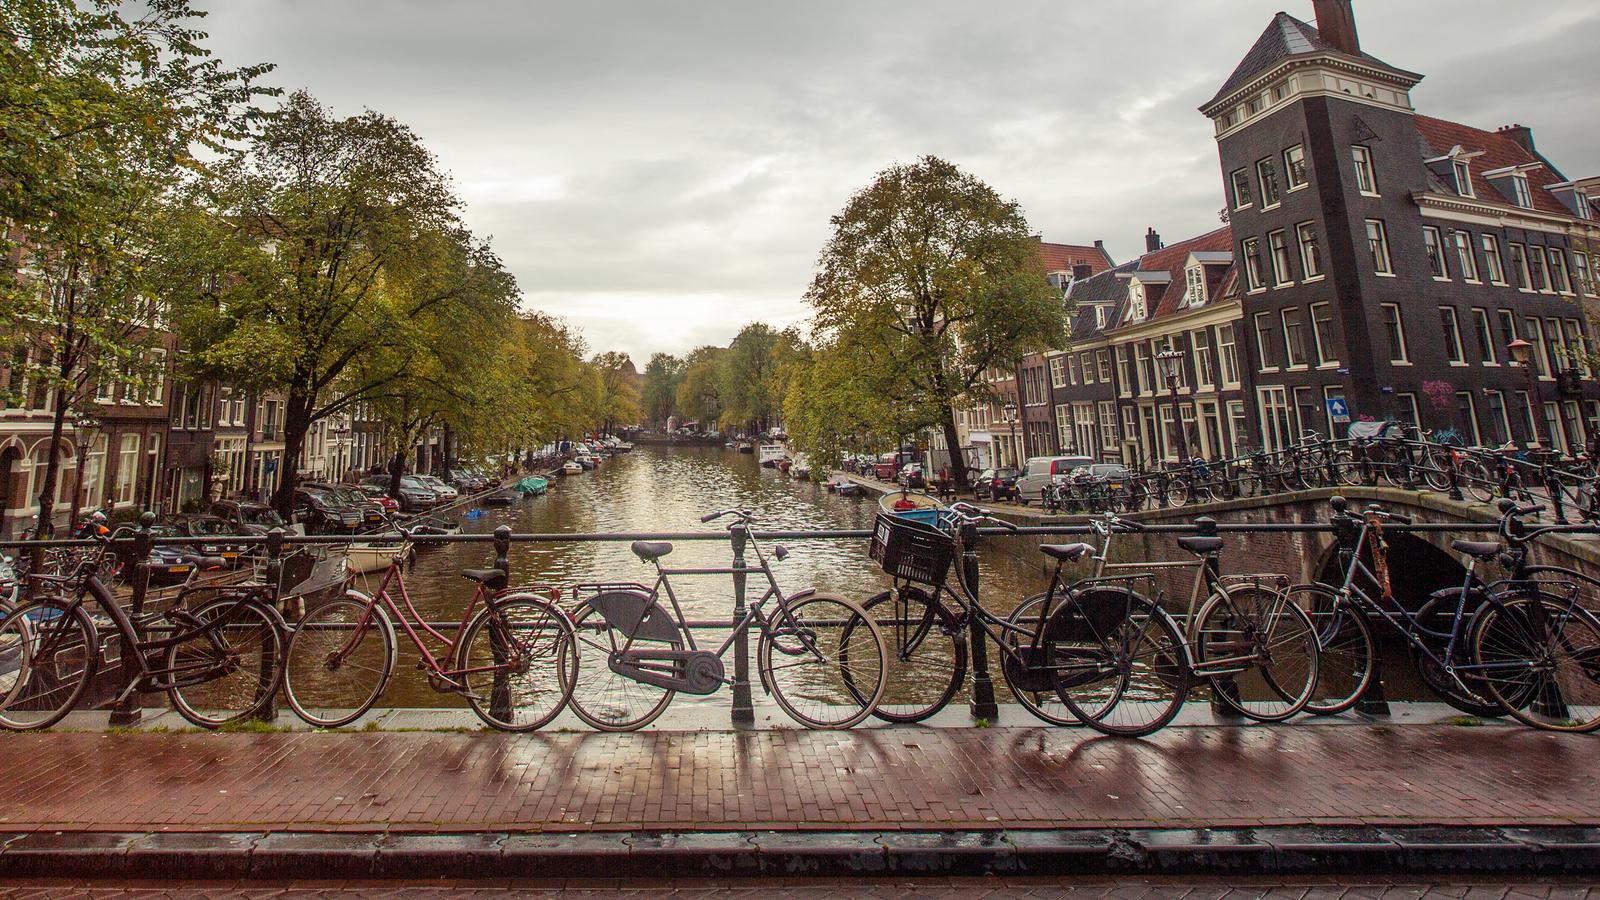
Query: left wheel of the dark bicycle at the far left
{"type": "Point", "coordinates": [47, 661]}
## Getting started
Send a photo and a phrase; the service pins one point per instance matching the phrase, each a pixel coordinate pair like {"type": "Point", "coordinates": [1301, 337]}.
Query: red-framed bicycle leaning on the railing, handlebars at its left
{"type": "Point", "coordinates": [502, 662]}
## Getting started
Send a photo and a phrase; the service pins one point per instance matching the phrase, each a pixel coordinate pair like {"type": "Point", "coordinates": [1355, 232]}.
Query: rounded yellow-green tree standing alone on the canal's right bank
{"type": "Point", "coordinates": [934, 279]}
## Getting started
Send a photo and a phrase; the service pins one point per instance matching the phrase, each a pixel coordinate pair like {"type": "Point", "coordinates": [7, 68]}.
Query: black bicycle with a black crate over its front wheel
{"type": "Point", "coordinates": [1054, 646]}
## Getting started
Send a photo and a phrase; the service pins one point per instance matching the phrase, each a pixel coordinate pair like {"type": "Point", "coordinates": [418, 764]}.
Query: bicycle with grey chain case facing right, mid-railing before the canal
{"type": "Point", "coordinates": [633, 656]}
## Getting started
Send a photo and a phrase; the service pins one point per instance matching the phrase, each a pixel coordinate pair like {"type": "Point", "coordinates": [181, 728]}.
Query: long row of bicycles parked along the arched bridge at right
{"type": "Point", "coordinates": [1391, 454]}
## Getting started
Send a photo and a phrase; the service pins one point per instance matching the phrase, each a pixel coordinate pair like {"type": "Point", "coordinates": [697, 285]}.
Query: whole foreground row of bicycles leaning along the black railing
{"type": "Point", "coordinates": [1106, 651]}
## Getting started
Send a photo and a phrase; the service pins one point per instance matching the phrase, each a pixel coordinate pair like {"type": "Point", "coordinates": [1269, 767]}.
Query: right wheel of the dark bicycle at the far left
{"type": "Point", "coordinates": [239, 661]}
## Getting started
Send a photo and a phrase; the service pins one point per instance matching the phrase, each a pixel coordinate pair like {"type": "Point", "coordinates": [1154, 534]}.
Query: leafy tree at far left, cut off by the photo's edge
{"type": "Point", "coordinates": [102, 116]}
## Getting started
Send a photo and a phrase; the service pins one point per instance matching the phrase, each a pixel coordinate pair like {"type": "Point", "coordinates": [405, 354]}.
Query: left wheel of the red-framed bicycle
{"type": "Point", "coordinates": [338, 661]}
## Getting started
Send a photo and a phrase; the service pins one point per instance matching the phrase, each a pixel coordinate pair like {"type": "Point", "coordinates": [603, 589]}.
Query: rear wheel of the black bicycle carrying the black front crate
{"type": "Point", "coordinates": [1130, 673]}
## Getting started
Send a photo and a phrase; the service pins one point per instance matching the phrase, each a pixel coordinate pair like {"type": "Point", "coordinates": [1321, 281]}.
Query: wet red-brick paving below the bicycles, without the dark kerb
{"type": "Point", "coordinates": [881, 781]}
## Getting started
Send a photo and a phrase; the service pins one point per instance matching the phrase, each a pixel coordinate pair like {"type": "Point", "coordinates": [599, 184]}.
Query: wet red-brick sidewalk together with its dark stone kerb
{"type": "Point", "coordinates": [1297, 798]}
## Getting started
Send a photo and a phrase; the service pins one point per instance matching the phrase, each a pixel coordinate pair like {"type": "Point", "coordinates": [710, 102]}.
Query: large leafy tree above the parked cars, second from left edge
{"type": "Point", "coordinates": [346, 235]}
